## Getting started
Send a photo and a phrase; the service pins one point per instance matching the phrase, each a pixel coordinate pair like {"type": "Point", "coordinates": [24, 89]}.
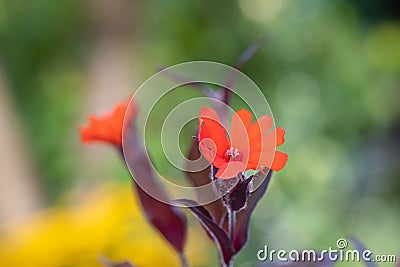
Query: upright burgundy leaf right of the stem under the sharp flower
{"type": "Point", "coordinates": [243, 216]}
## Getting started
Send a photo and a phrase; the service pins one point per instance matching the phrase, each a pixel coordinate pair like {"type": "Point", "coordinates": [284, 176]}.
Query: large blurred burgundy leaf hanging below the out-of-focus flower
{"type": "Point", "coordinates": [167, 219]}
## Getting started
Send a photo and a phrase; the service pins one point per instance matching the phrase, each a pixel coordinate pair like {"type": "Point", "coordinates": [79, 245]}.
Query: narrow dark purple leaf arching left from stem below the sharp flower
{"type": "Point", "coordinates": [218, 234]}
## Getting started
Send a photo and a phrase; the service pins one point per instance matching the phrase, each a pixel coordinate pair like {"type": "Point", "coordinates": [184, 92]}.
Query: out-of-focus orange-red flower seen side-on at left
{"type": "Point", "coordinates": [107, 128]}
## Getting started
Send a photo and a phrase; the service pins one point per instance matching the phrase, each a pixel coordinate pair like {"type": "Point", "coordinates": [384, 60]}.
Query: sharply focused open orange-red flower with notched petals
{"type": "Point", "coordinates": [248, 146]}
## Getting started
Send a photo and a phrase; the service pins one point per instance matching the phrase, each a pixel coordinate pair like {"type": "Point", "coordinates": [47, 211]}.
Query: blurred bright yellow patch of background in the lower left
{"type": "Point", "coordinates": [105, 222]}
